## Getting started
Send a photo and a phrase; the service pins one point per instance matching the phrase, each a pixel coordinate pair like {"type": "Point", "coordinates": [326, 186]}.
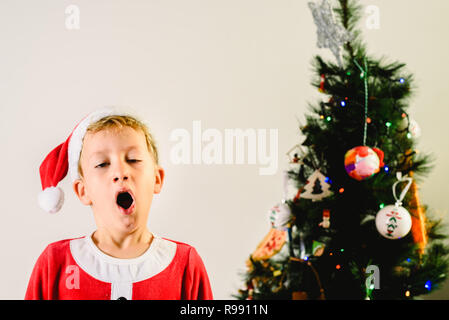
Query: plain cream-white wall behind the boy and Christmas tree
{"type": "Point", "coordinates": [231, 64]}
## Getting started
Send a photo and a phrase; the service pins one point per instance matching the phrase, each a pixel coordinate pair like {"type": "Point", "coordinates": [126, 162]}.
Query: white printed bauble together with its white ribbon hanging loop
{"type": "Point", "coordinates": [394, 221]}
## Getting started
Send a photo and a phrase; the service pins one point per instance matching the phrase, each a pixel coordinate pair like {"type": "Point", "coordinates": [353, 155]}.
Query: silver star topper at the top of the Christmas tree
{"type": "Point", "coordinates": [330, 34]}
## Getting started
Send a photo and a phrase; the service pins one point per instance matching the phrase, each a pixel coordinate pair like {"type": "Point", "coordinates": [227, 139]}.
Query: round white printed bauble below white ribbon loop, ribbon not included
{"type": "Point", "coordinates": [393, 222]}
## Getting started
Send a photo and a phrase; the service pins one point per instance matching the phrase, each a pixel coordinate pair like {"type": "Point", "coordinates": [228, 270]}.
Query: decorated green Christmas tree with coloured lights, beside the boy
{"type": "Point", "coordinates": [366, 235]}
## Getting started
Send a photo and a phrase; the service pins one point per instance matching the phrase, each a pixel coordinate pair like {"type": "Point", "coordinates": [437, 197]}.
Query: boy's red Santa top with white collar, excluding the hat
{"type": "Point", "coordinates": [77, 269]}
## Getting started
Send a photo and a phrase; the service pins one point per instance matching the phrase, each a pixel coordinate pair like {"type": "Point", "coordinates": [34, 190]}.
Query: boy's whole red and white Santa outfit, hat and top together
{"type": "Point", "coordinates": [78, 269]}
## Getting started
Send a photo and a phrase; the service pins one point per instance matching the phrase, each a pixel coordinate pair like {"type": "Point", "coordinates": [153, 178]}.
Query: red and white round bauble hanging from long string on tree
{"type": "Point", "coordinates": [363, 162]}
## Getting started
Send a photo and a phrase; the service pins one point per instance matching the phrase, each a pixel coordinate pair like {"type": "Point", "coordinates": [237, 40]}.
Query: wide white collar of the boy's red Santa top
{"type": "Point", "coordinates": [109, 269]}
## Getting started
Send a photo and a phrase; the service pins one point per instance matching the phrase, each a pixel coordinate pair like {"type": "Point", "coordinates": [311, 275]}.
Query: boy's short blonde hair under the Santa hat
{"type": "Point", "coordinates": [116, 122]}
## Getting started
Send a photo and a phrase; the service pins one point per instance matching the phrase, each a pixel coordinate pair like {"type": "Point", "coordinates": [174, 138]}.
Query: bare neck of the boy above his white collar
{"type": "Point", "coordinates": [123, 246]}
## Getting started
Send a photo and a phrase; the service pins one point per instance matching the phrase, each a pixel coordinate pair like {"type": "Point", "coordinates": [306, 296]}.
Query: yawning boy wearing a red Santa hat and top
{"type": "Point", "coordinates": [113, 163]}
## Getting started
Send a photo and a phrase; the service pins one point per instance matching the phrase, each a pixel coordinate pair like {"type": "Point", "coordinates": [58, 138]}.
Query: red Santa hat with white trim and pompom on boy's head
{"type": "Point", "coordinates": [65, 157]}
